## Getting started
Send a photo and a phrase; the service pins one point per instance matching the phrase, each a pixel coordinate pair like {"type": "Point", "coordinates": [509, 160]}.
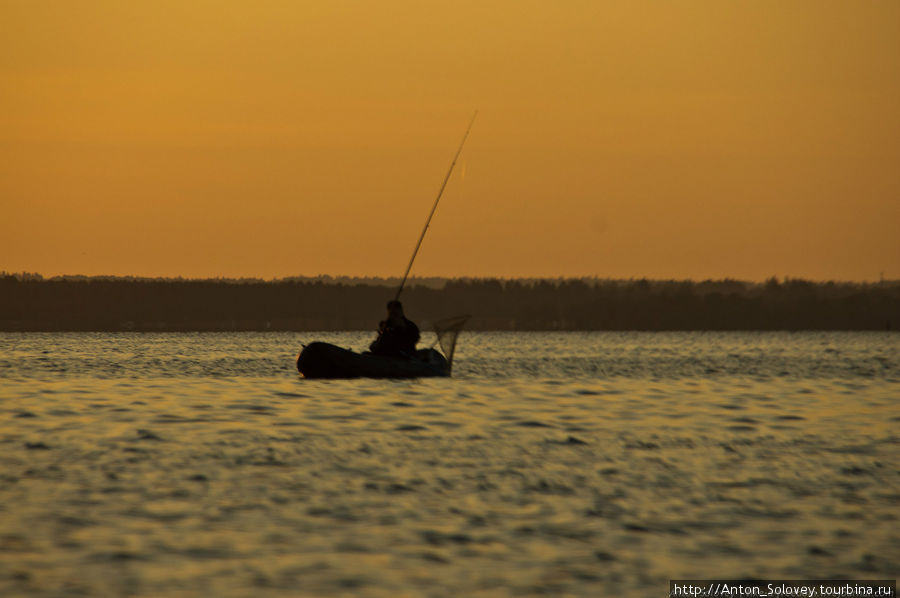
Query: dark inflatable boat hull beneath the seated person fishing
{"type": "Point", "coordinates": [324, 360]}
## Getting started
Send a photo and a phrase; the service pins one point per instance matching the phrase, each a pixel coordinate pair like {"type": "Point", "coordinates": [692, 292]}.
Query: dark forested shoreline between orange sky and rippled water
{"type": "Point", "coordinates": [30, 303]}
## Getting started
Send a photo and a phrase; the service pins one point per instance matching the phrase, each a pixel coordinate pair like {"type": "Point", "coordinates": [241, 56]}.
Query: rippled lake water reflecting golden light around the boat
{"type": "Point", "coordinates": [577, 464]}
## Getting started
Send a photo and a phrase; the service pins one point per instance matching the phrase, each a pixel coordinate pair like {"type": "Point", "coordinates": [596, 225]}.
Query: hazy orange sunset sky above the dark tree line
{"type": "Point", "coordinates": [683, 139]}
